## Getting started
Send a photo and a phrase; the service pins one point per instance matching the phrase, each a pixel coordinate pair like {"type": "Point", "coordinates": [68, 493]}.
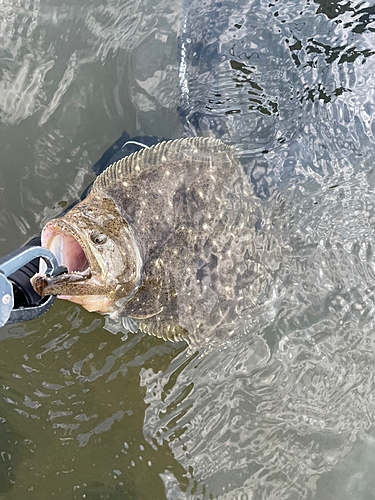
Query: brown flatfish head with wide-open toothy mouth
{"type": "Point", "coordinates": [96, 245]}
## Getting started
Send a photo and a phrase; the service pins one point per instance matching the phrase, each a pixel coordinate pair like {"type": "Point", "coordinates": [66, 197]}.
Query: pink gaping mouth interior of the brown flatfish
{"type": "Point", "coordinates": [67, 250]}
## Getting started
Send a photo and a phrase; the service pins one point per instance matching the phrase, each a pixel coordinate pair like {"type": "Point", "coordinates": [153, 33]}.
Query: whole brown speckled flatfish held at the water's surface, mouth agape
{"type": "Point", "coordinates": [163, 237]}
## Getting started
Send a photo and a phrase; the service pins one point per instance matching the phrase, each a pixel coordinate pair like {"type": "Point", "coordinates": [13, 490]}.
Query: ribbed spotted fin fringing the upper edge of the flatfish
{"type": "Point", "coordinates": [145, 158]}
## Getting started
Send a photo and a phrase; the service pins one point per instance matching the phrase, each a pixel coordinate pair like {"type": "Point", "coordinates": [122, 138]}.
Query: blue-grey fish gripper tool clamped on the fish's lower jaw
{"type": "Point", "coordinates": [24, 259]}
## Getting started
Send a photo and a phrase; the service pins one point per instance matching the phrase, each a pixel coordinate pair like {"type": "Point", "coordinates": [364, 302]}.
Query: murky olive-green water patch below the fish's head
{"type": "Point", "coordinates": [76, 407]}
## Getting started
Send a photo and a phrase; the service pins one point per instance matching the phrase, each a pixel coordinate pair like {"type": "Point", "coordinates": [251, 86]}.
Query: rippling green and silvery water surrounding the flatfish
{"type": "Point", "coordinates": [285, 408]}
